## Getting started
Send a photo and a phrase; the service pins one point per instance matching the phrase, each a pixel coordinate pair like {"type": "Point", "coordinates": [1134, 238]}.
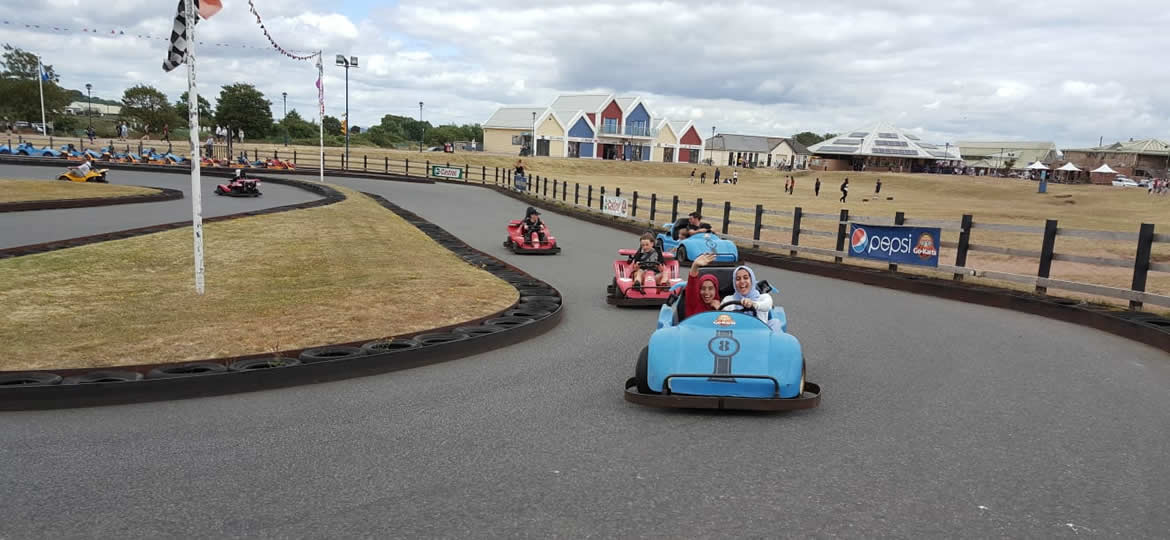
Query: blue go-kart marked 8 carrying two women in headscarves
{"type": "Point", "coordinates": [721, 359]}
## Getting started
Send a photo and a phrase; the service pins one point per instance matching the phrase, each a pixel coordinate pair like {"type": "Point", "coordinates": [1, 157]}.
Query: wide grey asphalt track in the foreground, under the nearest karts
{"type": "Point", "coordinates": [939, 420]}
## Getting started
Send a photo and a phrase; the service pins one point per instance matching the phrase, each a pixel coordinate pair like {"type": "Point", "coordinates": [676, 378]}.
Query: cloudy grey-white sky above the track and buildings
{"type": "Point", "coordinates": [1062, 71]}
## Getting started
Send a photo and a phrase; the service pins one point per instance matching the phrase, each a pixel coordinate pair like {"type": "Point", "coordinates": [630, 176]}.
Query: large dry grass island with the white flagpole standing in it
{"type": "Point", "coordinates": [343, 273]}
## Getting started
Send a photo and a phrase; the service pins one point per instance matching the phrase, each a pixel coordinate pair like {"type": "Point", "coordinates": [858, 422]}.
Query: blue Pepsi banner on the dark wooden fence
{"type": "Point", "coordinates": [896, 245]}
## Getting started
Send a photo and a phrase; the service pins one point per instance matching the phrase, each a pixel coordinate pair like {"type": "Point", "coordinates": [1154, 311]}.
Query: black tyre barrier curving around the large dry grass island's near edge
{"type": "Point", "coordinates": [538, 310]}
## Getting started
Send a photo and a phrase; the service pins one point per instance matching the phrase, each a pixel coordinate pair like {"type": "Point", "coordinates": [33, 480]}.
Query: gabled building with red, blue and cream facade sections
{"type": "Point", "coordinates": [597, 127]}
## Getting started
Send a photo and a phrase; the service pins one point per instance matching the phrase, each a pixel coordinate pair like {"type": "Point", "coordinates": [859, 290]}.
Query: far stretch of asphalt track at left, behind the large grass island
{"type": "Point", "coordinates": [22, 229]}
